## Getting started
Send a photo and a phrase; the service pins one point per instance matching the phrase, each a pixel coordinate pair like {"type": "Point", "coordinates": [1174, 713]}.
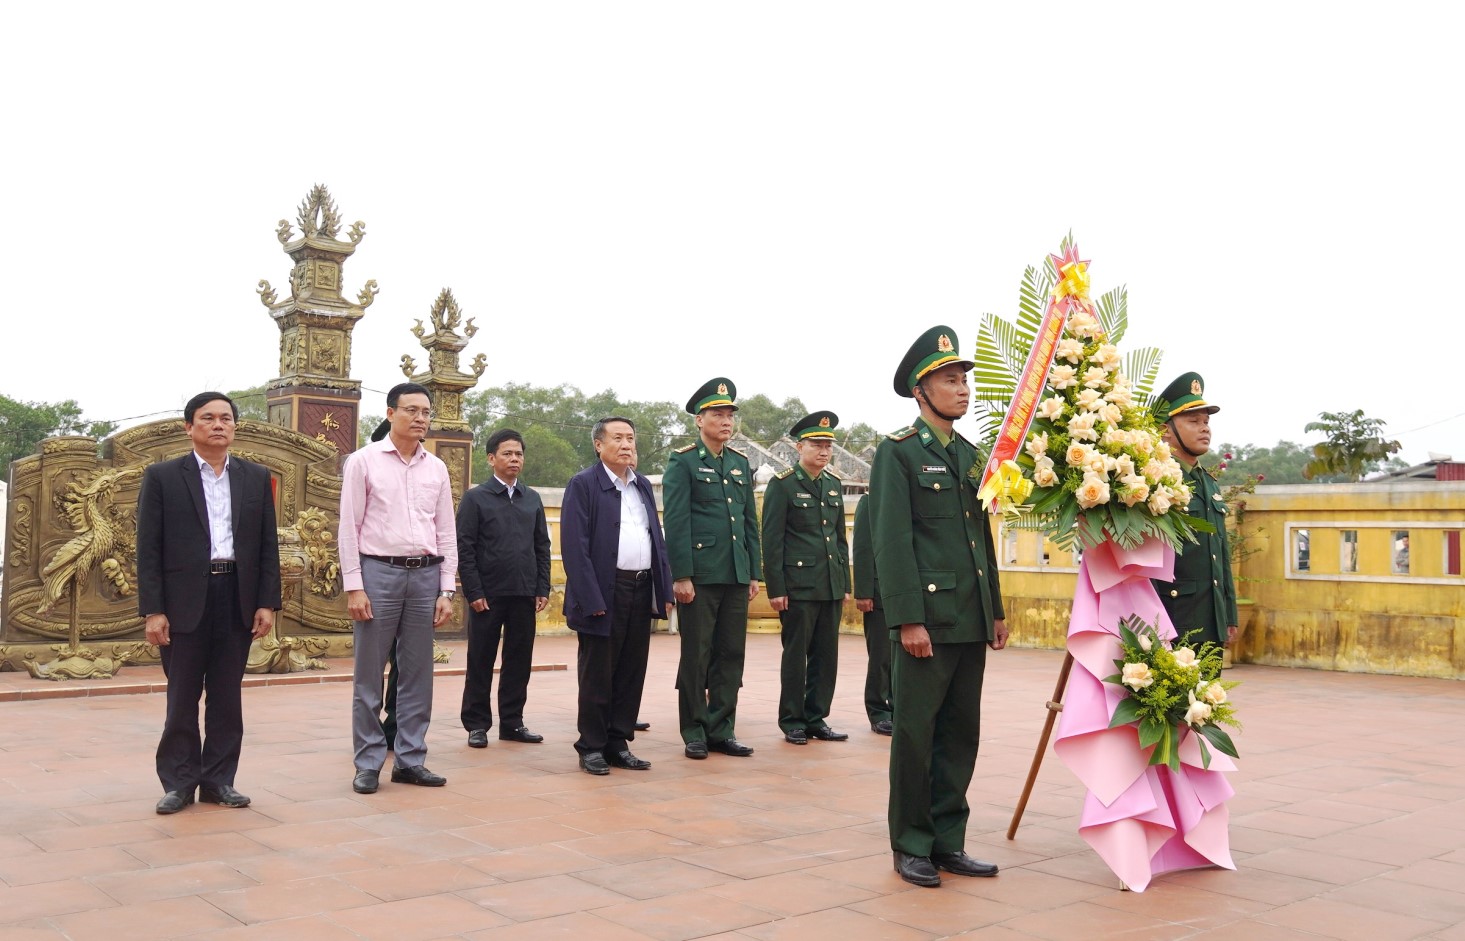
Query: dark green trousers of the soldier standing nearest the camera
{"type": "Point", "coordinates": [934, 751]}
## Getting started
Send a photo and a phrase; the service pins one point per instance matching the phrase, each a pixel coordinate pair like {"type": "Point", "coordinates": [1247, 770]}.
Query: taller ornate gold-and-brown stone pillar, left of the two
{"type": "Point", "coordinates": [314, 394]}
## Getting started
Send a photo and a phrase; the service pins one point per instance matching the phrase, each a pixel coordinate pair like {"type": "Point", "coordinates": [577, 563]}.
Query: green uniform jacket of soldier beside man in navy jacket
{"type": "Point", "coordinates": [711, 517]}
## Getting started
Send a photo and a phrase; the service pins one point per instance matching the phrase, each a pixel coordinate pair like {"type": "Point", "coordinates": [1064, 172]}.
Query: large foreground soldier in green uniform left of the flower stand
{"type": "Point", "coordinates": [940, 588]}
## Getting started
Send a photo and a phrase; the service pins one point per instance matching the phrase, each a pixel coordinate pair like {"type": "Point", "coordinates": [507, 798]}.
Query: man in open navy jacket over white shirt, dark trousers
{"type": "Point", "coordinates": [617, 580]}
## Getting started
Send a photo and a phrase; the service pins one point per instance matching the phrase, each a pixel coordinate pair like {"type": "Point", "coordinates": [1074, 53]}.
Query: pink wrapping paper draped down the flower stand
{"type": "Point", "coordinates": [1142, 820]}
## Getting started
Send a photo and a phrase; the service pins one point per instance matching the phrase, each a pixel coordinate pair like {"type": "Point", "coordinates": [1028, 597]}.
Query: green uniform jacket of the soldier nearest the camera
{"type": "Point", "coordinates": [934, 552]}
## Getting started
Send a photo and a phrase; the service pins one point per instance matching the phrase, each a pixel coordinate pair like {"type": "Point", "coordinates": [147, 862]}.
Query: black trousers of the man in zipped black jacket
{"type": "Point", "coordinates": [515, 619]}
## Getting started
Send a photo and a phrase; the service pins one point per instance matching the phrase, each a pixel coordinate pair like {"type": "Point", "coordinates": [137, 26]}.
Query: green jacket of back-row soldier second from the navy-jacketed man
{"type": "Point", "coordinates": [806, 555]}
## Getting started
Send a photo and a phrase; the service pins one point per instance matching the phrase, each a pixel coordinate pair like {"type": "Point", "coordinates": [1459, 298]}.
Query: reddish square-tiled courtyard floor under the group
{"type": "Point", "coordinates": [1350, 823]}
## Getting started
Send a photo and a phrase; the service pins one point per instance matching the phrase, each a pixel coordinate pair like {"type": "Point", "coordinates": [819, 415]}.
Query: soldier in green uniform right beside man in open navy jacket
{"type": "Point", "coordinates": [713, 543]}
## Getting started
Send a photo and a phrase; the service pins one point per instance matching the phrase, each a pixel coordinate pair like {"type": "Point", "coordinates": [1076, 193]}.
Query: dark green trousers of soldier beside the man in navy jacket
{"type": "Point", "coordinates": [714, 640]}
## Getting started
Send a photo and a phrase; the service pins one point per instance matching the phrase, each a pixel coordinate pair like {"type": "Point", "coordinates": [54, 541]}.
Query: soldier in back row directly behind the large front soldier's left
{"type": "Point", "coordinates": [806, 567]}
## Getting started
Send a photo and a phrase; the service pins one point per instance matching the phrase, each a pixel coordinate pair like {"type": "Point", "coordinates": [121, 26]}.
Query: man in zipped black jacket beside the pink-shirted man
{"type": "Point", "coordinates": [505, 567]}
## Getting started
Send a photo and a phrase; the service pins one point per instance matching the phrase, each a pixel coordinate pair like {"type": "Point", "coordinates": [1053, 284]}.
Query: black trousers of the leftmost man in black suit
{"type": "Point", "coordinates": [206, 660]}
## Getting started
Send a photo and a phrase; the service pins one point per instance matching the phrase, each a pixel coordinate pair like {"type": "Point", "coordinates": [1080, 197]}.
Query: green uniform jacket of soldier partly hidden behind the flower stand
{"type": "Point", "coordinates": [1203, 596]}
